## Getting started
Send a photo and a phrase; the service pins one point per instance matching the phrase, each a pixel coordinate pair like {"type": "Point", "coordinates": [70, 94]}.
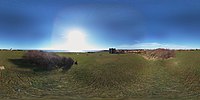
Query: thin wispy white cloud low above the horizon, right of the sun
{"type": "Point", "coordinates": [152, 46]}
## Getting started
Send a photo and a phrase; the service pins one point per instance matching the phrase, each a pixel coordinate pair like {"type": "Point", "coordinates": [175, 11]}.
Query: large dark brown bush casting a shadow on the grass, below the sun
{"type": "Point", "coordinates": [48, 61]}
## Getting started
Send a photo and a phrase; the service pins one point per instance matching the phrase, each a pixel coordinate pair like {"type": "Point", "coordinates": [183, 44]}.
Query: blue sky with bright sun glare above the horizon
{"type": "Point", "coordinates": [99, 24]}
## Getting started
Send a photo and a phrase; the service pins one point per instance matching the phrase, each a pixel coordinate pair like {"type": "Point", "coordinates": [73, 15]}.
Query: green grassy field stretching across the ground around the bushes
{"type": "Point", "coordinates": [103, 76]}
